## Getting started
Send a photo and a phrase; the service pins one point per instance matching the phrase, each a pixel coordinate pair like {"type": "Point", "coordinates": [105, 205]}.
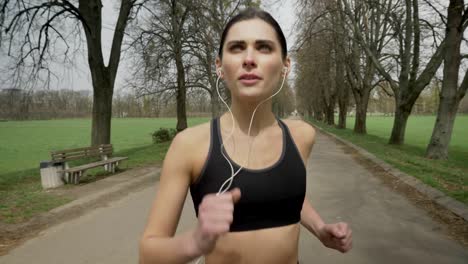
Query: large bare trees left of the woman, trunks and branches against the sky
{"type": "Point", "coordinates": [174, 43]}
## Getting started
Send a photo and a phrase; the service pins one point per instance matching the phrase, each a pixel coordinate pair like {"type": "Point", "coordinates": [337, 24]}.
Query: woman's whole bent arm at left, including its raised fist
{"type": "Point", "coordinates": [215, 212]}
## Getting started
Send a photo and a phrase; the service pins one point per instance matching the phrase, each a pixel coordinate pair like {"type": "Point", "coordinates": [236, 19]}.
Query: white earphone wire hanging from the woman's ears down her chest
{"type": "Point", "coordinates": [230, 179]}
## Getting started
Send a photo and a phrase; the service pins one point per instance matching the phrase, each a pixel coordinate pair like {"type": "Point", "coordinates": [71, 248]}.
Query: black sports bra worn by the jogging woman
{"type": "Point", "coordinates": [271, 197]}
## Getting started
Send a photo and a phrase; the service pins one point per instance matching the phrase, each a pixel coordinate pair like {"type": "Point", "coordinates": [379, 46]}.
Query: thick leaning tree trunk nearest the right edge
{"type": "Point", "coordinates": [449, 98]}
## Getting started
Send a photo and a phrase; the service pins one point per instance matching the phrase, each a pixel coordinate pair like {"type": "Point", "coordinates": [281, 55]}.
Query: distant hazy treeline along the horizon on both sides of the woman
{"type": "Point", "coordinates": [17, 104]}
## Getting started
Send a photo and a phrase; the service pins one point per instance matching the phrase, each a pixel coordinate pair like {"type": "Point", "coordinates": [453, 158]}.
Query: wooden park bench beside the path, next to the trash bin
{"type": "Point", "coordinates": [72, 175]}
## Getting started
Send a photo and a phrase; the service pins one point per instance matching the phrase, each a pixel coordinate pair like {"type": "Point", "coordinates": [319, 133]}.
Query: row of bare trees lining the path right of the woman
{"type": "Point", "coordinates": [349, 47]}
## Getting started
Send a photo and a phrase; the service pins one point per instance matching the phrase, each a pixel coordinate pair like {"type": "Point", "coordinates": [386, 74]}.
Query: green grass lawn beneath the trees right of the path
{"type": "Point", "coordinates": [449, 176]}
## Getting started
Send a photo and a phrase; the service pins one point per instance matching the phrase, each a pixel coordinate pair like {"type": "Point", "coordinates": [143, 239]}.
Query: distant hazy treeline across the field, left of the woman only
{"type": "Point", "coordinates": [18, 104]}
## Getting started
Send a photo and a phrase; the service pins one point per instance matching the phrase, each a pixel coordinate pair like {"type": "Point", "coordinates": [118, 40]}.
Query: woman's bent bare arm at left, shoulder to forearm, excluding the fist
{"type": "Point", "coordinates": [158, 243]}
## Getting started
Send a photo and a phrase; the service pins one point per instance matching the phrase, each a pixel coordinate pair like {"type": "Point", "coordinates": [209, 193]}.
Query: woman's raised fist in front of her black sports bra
{"type": "Point", "coordinates": [215, 215]}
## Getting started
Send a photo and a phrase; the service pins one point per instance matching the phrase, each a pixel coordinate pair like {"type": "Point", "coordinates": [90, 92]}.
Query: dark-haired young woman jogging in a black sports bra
{"type": "Point", "coordinates": [255, 220]}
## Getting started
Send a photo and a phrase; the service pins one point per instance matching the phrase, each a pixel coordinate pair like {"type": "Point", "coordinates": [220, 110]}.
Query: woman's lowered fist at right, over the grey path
{"type": "Point", "coordinates": [336, 236]}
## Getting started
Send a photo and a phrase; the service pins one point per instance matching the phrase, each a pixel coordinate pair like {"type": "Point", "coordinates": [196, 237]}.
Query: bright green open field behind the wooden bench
{"type": "Point", "coordinates": [23, 144]}
